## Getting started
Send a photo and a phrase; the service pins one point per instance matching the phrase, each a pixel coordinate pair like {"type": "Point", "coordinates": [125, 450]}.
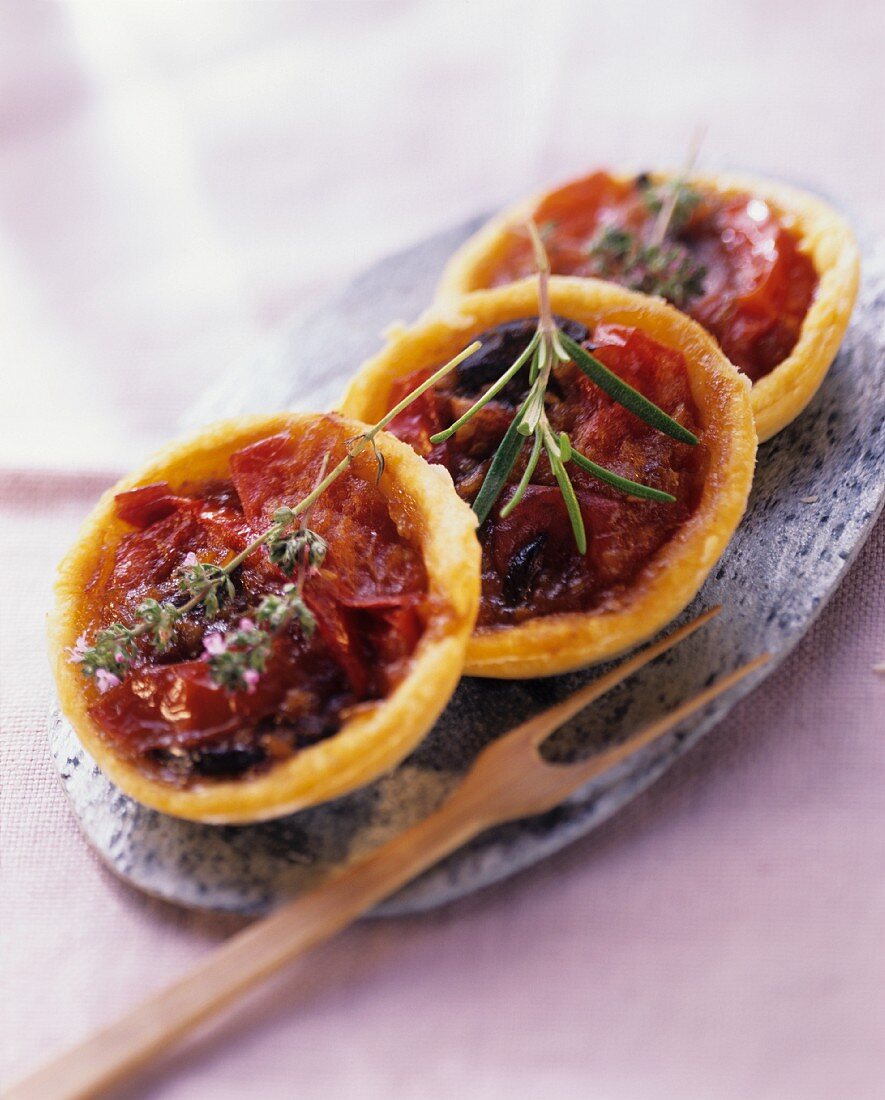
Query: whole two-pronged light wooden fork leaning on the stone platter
{"type": "Point", "coordinates": [508, 780]}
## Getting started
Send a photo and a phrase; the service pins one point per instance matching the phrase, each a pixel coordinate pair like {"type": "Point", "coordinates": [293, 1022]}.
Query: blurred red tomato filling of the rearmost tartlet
{"type": "Point", "coordinates": [757, 285]}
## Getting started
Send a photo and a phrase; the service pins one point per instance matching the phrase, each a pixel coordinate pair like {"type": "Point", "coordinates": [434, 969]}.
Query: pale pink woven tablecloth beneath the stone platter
{"type": "Point", "coordinates": [179, 180]}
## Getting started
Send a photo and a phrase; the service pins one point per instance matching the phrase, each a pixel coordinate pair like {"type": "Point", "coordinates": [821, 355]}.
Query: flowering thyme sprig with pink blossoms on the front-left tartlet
{"type": "Point", "coordinates": [240, 656]}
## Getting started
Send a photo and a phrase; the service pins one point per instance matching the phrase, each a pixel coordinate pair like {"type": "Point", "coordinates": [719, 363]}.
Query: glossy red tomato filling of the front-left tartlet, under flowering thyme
{"type": "Point", "coordinates": [369, 602]}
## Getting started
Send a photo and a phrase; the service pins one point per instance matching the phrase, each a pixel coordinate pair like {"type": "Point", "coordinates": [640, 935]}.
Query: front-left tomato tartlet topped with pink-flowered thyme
{"type": "Point", "coordinates": [391, 608]}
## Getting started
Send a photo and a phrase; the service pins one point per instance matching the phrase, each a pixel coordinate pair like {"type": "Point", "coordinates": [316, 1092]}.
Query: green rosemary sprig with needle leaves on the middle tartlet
{"type": "Point", "coordinates": [550, 347]}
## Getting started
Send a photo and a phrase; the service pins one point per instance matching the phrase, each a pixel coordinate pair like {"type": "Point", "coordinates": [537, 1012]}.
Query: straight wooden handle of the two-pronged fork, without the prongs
{"type": "Point", "coordinates": [109, 1057]}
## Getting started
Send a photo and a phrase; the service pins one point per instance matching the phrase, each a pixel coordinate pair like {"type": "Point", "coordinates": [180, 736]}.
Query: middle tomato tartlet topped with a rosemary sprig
{"type": "Point", "coordinates": [547, 608]}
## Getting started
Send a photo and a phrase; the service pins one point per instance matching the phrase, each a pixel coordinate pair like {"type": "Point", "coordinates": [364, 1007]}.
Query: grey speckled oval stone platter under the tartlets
{"type": "Point", "coordinates": [820, 488]}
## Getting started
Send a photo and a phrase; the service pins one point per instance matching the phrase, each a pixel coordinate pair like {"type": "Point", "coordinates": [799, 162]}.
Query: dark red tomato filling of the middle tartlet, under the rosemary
{"type": "Point", "coordinates": [530, 564]}
